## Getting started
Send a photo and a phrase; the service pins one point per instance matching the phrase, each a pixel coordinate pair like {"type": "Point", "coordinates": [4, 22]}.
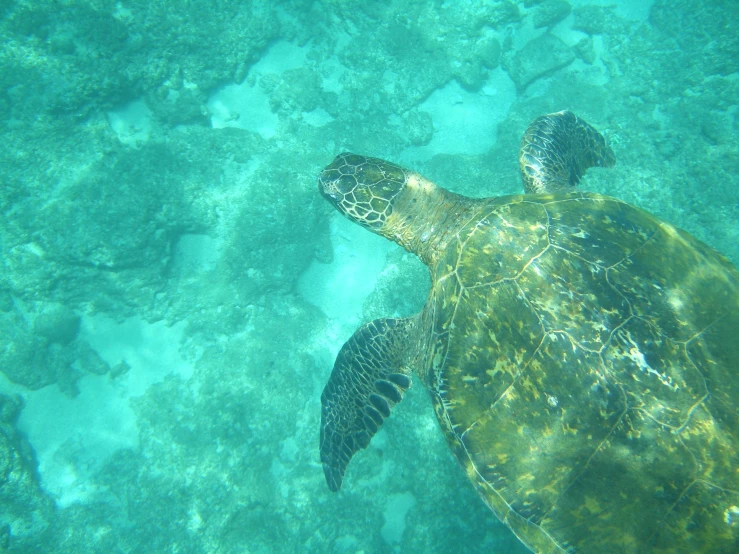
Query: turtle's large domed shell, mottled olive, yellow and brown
{"type": "Point", "coordinates": [583, 364]}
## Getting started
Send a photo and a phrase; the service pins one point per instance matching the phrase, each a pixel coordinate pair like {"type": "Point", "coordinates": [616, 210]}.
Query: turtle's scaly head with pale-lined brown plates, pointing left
{"type": "Point", "coordinates": [363, 189]}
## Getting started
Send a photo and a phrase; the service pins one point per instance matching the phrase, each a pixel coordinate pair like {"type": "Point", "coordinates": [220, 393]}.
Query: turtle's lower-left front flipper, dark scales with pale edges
{"type": "Point", "coordinates": [370, 376]}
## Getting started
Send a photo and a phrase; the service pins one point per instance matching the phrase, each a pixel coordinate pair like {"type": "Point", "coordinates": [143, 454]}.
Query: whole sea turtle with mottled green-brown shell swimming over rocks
{"type": "Point", "coordinates": [581, 355]}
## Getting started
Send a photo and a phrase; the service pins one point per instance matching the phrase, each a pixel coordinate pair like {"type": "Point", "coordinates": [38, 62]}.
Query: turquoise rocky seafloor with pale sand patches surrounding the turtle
{"type": "Point", "coordinates": [173, 289]}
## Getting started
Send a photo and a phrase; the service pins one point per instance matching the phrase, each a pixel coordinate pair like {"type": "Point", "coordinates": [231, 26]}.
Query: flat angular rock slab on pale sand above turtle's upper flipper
{"type": "Point", "coordinates": [538, 58]}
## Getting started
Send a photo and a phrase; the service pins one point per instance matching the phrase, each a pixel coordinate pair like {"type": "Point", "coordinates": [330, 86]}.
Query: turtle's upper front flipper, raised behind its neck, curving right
{"type": "Point", "coordinates": [557, 149]}
